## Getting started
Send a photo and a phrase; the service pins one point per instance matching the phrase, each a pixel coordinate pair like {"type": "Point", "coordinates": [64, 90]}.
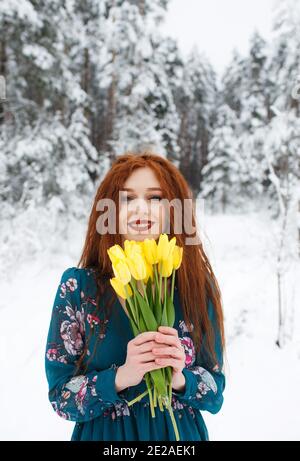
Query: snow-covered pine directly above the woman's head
{"type": "Point", "coordinates": [141, 109]}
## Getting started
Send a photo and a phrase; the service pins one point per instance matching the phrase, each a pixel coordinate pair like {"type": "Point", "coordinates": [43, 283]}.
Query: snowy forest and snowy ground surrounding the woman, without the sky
{"type": "Point", "coordinates": [82, 82]}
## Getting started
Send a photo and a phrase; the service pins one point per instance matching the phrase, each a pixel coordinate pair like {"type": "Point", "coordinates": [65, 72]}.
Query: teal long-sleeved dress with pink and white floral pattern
{"type": "Point", "coordinates": [91, 400]}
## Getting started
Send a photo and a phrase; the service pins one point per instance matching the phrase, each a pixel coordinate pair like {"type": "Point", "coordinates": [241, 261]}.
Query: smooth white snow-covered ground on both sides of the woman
{"type": "Point", "coordinates": [261, 399]}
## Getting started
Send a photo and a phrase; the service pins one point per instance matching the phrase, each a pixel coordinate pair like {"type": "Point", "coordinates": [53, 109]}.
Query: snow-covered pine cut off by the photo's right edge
{"type": "Point", "coordinates": [283, 70]}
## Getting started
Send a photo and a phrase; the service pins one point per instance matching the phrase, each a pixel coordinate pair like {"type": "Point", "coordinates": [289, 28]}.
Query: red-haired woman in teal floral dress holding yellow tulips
{"type": "Point", "coordinates": [94, 364]}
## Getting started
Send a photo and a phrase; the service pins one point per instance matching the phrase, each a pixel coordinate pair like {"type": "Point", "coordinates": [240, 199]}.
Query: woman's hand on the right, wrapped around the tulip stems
{"type": "Point", "coordinates": [170, 352]}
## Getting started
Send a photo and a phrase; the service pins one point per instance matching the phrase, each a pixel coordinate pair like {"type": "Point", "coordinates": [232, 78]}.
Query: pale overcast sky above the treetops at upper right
{"type": "Point", "coordinates": [217, 26]}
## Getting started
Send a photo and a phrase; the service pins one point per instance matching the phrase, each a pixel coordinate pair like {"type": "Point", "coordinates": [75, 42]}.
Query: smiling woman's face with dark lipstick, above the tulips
{"type": "Point", "coordinates": [140, 199]}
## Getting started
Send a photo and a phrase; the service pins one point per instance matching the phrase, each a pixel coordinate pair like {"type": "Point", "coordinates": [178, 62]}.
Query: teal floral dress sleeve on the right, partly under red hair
{"type": "Point", "coordinates": [204, 383]}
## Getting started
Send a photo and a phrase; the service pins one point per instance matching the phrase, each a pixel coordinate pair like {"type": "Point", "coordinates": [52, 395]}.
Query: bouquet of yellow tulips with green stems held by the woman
{"type": "Point", "coordinates": [149, 261]}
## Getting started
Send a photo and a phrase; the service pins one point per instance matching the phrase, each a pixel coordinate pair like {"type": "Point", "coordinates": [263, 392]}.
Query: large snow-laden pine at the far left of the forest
{"type": "Point", "coordinates": [43, 83]}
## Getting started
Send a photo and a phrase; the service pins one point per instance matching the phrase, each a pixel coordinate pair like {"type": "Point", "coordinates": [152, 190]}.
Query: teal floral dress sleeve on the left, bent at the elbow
{"type": "Point", "coordinates": [85, 396]}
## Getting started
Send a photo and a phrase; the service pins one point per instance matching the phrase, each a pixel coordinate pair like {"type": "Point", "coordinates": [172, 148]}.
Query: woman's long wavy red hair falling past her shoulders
{"type": "Point", "coordinates": [195, 278]}
